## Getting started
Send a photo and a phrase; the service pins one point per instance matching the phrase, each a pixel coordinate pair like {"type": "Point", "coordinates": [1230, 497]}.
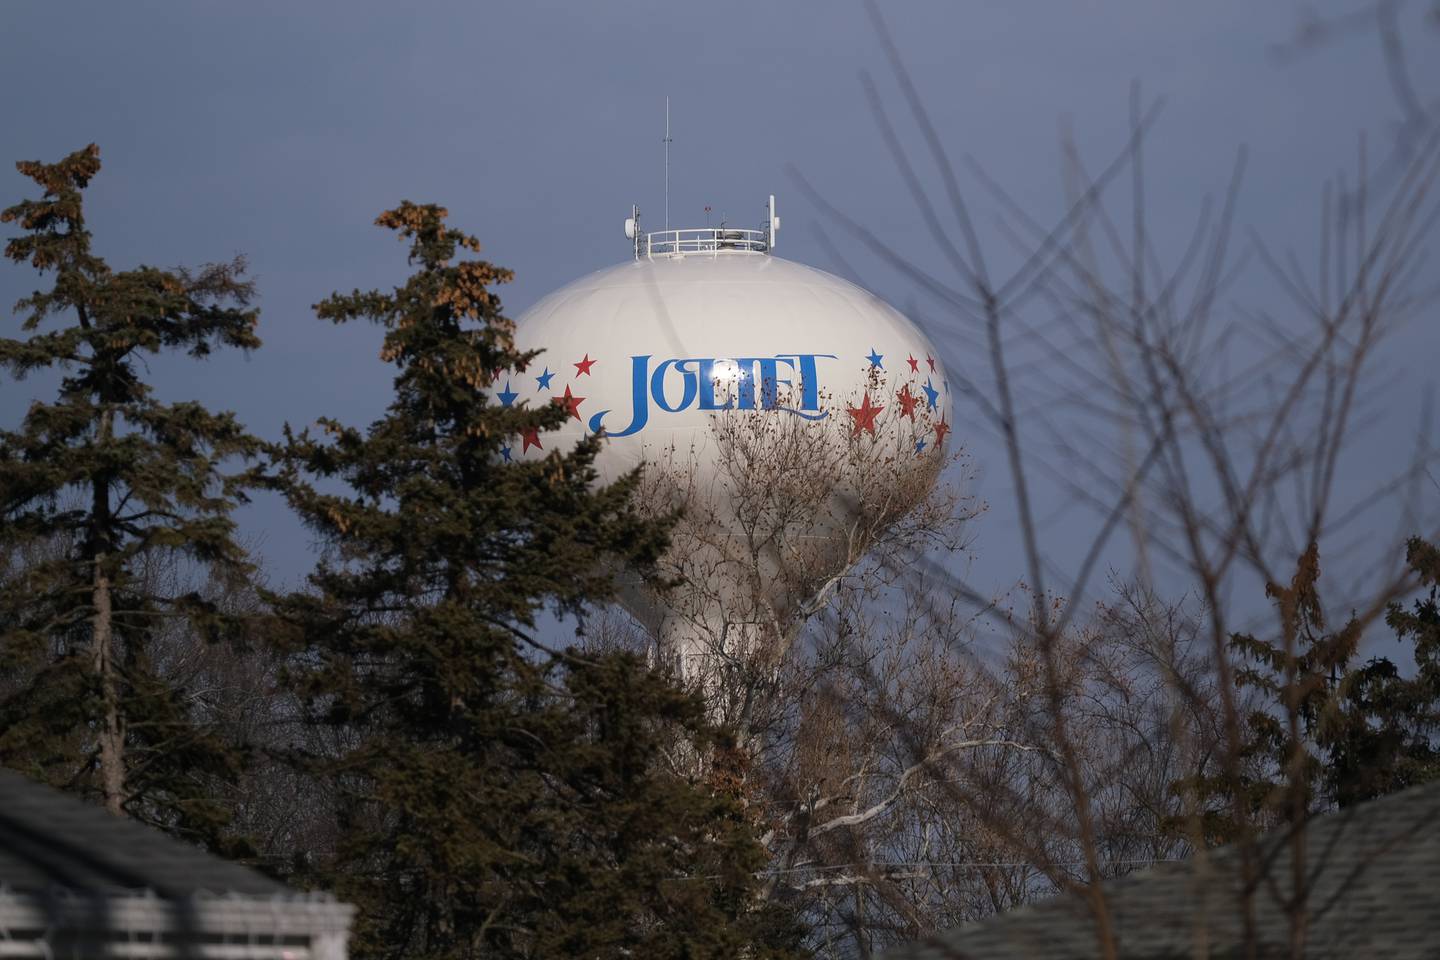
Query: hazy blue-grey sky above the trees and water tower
{"type": "Point", "coordinates": [280, 130]}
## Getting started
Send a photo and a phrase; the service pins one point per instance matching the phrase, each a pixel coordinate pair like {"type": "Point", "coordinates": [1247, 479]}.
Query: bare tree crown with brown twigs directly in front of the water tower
{"type": "Point", "coordinates": [775, 513]}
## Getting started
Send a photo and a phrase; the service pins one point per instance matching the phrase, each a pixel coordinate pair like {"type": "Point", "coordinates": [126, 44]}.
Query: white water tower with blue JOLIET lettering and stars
{"type": "Point", "coordinates": [791, 415]}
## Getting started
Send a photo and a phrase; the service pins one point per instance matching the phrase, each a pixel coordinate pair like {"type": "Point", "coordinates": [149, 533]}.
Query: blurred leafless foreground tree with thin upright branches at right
{"type": "Point", "coordinates": [1212, 434]}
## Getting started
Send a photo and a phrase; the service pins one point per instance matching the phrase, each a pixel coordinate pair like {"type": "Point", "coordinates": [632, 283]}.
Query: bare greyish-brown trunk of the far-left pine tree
{"type": "Point", "coordinates": [103, 641]}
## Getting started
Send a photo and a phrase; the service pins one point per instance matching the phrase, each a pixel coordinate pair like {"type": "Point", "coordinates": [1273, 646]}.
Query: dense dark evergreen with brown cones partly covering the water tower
{"type": "Point", "coordinates": [499, 798]}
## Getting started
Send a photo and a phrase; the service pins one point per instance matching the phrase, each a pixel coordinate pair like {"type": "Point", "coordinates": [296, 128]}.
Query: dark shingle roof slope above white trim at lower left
{"type": "Point", "coordinates": [51, 841]}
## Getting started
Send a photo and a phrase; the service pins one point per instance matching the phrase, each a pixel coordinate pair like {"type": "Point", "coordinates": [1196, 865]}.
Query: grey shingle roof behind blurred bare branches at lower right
{"type": "Point", "coordinates": [1374, 892]}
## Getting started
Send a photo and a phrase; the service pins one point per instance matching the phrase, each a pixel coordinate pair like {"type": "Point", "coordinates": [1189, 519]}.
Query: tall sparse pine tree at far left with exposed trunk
{"type": "Point", "coordinates": [99, 486]}
